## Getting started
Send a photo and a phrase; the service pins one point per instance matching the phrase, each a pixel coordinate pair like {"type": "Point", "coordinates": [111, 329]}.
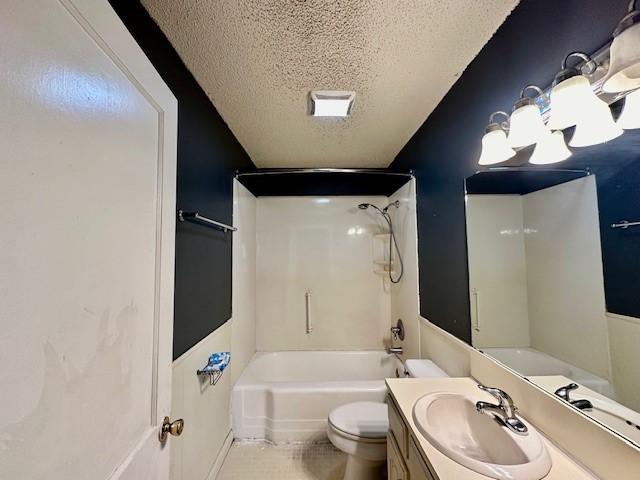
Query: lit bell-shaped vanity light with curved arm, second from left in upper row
{"type": "Point", "coordinates": [526, 126]}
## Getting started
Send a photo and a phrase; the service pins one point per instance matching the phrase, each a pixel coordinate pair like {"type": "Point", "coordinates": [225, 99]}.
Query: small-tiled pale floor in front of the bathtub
{"type": "Point", "coordinates": [249, 461]}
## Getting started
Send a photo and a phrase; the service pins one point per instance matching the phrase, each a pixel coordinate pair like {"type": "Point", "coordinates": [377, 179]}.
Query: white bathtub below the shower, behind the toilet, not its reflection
{"type": "Point", "coordinates": [286, 396]}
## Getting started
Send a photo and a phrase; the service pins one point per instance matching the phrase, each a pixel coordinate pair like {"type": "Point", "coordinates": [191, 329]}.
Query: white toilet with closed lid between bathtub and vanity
{"type": "Point", "coordinates": [359, 429]}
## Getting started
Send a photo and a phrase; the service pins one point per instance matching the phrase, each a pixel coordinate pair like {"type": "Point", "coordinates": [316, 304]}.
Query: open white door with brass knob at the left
{"type": "Point", "coordinates": [87, 217]}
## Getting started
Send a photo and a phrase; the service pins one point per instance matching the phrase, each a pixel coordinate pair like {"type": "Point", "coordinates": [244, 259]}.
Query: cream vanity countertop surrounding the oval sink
{"type": "Point", "coordinates": [406, 391]}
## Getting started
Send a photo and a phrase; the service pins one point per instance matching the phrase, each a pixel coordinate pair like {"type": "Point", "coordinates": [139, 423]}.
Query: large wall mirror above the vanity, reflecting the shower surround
{"type": "Point", "coordinates": [553, 283]}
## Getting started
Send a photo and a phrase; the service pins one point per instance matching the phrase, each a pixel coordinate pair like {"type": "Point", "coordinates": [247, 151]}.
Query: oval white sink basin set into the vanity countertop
{"type": "Point", "coordinates": [450, 422]}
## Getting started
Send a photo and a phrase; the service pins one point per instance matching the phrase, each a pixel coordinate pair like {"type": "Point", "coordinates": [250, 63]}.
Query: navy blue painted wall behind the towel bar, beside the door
{"type": "Point", "coordinates": [208, 155]}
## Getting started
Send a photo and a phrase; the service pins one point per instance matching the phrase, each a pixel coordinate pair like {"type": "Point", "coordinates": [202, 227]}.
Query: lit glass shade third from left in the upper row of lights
{"type": "Point", "coordinates": [569, 99]}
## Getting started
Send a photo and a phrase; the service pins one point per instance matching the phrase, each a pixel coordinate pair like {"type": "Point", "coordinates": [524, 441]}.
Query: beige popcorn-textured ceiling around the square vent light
{"type": "Point", "coordinates": [258, 60]}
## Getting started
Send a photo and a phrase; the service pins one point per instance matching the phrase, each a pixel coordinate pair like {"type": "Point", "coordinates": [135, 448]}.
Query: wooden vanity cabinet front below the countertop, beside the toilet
{"type": "Point", "coordinates": [404, 461]}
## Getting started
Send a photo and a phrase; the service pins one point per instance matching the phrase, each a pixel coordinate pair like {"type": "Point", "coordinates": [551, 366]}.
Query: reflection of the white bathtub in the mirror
{"type": "Point", "coordinates": [530, 362]}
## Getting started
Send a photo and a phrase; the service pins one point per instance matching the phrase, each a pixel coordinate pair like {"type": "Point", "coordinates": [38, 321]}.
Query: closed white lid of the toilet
{"type": "Point", "coordinates": [361, 419]}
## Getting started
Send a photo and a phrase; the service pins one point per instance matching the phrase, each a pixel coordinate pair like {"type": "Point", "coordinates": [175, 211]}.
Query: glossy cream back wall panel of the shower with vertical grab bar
{"type": "Point", "coordinates": [323, 245]}
